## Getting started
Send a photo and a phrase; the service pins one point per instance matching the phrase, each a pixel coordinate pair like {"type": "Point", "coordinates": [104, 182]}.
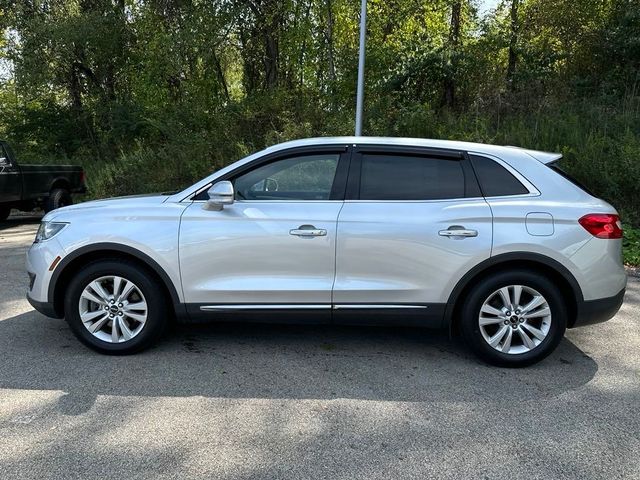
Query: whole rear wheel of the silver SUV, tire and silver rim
{"type": "Point", "coordinates": [513, 319]}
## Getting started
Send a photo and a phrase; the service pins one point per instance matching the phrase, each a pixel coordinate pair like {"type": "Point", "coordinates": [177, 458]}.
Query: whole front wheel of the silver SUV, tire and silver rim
{"type": "Point", "coordinates": [116, 307]}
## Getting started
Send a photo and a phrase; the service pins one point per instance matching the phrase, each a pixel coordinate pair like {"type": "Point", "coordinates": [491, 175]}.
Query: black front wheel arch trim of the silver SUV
{"type": "Point", "coordinates": [73, 262]}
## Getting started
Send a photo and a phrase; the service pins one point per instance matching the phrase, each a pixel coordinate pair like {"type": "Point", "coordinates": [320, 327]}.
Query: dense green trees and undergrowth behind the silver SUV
{"type": "Point", "coordinates": [153, 94]}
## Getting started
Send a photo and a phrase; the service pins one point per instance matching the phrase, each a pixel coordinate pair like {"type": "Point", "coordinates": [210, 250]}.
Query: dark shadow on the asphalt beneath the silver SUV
{"type": "Point", "coordinates": [277, 362]}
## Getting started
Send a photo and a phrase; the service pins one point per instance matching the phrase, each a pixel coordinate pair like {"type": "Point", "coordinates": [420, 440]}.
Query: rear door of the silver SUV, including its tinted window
{"type": "Point", "coordinates": [413, 223]}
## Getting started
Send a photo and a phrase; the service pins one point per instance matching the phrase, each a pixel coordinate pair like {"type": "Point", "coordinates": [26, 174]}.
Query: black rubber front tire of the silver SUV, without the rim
{"type": "Point", "coordinates": [157, 308]}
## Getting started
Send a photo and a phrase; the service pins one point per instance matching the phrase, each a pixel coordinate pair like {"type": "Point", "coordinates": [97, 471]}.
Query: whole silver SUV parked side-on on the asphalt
{"type": "Point", "coordinates": [495, 243]}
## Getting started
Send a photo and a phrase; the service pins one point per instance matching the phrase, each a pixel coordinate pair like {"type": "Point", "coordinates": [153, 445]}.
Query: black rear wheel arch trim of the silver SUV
{"type": "Point", "coordinates": [546, 266]}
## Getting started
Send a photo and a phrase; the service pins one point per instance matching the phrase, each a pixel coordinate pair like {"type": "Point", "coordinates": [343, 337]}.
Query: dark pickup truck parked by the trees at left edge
{"type": "Point", "coordinates": [28, 186]}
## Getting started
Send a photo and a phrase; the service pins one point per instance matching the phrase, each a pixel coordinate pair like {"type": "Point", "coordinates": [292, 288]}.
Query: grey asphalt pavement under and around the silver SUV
{"type": "Point", "coordinates": [304, 402]}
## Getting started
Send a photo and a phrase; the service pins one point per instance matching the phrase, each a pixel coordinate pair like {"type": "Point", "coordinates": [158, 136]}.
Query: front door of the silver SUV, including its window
{"type": "Point", "coordinates": [274, 247]}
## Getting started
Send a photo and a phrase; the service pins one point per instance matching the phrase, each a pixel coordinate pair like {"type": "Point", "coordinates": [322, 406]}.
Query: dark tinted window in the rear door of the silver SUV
{"type": "Point", "coordinates": [408, 177]}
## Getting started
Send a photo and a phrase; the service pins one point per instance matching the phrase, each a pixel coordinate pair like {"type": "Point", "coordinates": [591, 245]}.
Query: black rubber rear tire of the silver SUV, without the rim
{"type": "Point", "coordinates": [470, 312]}
